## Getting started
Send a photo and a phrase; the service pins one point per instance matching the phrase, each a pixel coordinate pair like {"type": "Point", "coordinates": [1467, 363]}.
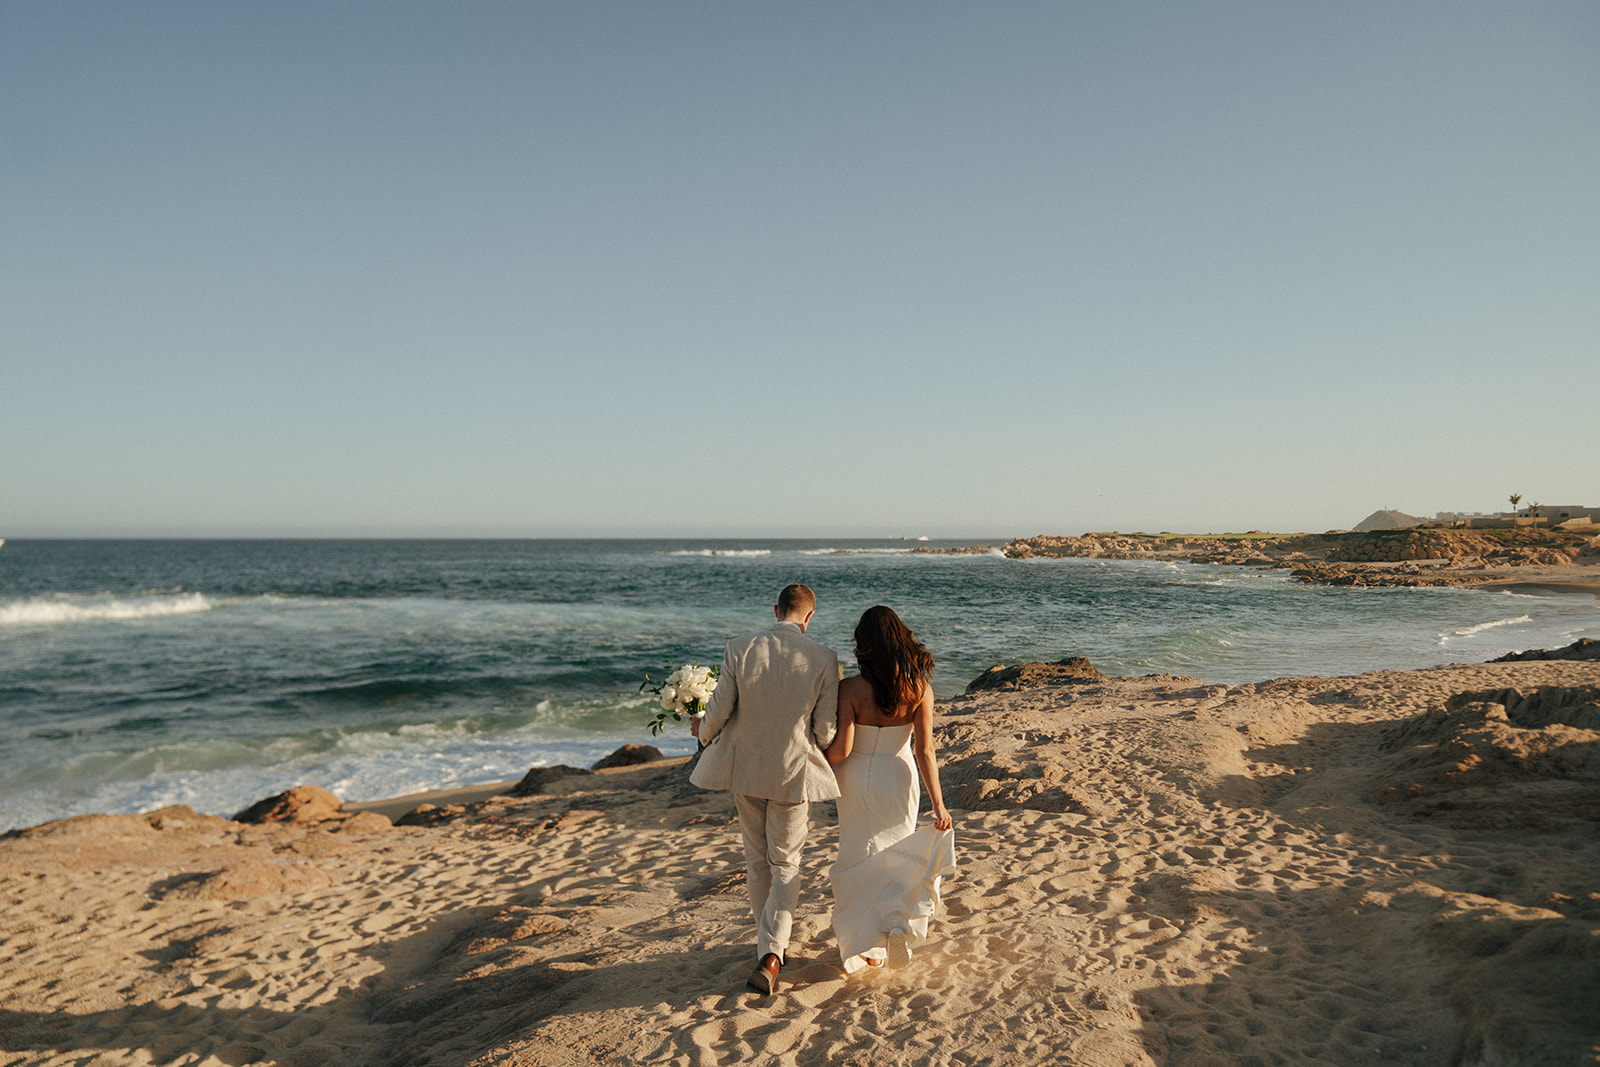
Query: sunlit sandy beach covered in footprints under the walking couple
{"type": "Point", "coordinates": [1398, 868]}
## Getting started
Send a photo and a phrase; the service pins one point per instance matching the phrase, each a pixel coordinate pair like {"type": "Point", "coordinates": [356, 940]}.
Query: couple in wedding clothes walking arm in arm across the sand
{"type": "Point", "coordinates": [782, 732]}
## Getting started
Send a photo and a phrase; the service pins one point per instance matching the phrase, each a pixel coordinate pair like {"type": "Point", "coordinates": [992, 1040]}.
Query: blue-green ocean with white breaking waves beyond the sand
{"type": "Point", "coordinates": [138, 674]}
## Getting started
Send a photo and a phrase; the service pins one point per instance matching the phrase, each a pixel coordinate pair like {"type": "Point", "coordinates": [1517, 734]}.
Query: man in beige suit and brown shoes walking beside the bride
{"type": "Point", "coordinates": [767, 724]}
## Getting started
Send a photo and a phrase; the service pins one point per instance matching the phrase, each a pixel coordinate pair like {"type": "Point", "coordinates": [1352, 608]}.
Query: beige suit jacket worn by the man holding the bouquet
{"type": "Point", "coordinates": [774, 713]}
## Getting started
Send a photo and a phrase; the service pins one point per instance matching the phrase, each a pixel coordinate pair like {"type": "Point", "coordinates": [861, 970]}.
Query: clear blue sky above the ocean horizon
{"type": "Point", "coordinates": [857, 270]}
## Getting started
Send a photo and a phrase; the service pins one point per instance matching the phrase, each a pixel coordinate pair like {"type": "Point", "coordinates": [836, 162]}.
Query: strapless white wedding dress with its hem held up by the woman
{"type": "Point", "coordinates": [887, 877]}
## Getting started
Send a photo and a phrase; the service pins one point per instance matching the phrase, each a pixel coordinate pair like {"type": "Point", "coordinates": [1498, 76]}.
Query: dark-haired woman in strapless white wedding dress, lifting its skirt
{"type": "Point", "coordinates": [887, 877]}
